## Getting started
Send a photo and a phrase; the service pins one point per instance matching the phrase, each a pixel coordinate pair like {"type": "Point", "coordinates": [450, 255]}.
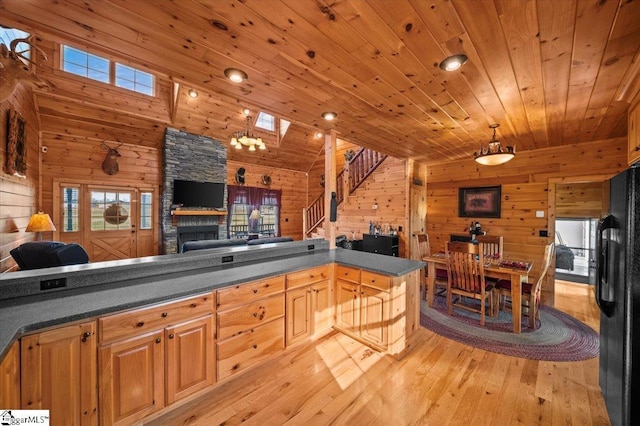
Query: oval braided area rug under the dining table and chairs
{"type": "Point", "coordinates": [559, 337]}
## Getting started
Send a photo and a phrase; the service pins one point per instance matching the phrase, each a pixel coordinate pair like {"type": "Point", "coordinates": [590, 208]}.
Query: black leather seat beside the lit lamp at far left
{"type": "Point", "coordinates": [45, 254]}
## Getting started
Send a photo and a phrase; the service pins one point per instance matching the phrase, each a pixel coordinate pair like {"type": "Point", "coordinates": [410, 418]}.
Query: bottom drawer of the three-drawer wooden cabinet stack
{"type": "Point", "coordinates": [250, 348]}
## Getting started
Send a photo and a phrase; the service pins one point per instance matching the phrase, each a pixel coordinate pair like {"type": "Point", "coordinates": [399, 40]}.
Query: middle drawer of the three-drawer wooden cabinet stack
{"type": "Point", "coordinates": [242, 318]}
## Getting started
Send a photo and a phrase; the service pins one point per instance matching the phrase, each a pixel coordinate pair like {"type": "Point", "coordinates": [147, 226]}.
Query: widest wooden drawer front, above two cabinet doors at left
{"type": "Point", "coordinates": [139, 321]}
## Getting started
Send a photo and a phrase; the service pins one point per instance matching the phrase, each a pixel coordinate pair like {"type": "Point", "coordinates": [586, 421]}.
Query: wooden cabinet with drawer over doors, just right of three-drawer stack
{"type": "Point", "coordinates": [309, 304]}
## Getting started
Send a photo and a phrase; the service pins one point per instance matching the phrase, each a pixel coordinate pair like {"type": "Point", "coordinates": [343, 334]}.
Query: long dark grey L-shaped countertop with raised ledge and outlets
{"type": "Point", "coordinates": [108, 287]}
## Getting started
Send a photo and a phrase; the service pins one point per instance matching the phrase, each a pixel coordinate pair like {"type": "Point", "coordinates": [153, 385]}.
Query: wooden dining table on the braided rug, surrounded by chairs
{"type": "Point", "coordinates": [517, 271]}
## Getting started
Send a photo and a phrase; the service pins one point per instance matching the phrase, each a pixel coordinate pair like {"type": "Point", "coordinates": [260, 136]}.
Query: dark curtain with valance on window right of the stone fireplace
{"type": "Point", "coordinates": [254, 198]}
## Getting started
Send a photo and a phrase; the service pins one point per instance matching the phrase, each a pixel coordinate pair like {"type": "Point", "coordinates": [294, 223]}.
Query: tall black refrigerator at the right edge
{"type": "Point", "coordinates": [618, 296]}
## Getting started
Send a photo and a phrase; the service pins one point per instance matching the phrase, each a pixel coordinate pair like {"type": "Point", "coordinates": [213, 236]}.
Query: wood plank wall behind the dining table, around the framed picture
{"type": "Point", "coordinates": [525, 188]}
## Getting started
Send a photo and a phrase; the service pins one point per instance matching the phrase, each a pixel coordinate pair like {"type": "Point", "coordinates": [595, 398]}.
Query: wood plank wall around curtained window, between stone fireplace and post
{"type": "Point", "coordinates": [294, 192]}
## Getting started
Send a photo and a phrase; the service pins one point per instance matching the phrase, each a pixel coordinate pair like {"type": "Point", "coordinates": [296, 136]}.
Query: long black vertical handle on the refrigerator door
{"type": "Point", "coordinates": [604, 292]}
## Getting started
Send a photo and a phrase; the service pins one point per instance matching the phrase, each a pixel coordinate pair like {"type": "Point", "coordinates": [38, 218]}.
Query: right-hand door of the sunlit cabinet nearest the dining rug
{"type": "Point", "coordinates": [374, 313]}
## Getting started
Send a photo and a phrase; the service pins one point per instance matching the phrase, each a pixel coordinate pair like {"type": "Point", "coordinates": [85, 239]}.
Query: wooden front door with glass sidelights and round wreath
{"type": "Point", "coordinates": [110, 222]}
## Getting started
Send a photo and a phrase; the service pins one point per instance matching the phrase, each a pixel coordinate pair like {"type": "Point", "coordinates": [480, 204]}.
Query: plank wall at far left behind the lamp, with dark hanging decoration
{"type": "Point", "coordinates": [18, 196]}
